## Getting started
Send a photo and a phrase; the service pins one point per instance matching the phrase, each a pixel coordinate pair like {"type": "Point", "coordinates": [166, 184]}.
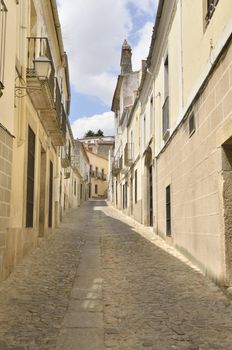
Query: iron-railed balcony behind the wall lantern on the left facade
{"type": "Point", "coordinates": [45, 93]}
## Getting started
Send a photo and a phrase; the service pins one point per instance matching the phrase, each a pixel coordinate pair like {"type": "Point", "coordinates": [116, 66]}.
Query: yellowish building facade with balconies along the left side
{"type": "Point", "coordinates": [36, 142]}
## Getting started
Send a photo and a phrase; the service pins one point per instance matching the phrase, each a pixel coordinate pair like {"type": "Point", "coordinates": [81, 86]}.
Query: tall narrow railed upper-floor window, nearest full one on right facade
{"type": "Point", "coordinates": [166, 99]}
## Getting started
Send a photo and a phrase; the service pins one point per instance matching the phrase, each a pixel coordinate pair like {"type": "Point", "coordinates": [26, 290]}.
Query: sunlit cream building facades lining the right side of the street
{"type": "Point", "coordinates": [179, 177]}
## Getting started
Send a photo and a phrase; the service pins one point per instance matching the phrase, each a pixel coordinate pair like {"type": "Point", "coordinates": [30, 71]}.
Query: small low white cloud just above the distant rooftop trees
{"type": "Point", "coordinates": [104, 121]}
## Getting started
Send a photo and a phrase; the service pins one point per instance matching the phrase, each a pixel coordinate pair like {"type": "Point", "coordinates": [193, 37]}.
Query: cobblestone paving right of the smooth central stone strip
{"type": "Point", "coordinates": [152, 300]}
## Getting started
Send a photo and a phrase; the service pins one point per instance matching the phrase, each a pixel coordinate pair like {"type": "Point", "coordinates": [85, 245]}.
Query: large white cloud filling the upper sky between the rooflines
{"type": "Point", "coordinates": [93, 32]}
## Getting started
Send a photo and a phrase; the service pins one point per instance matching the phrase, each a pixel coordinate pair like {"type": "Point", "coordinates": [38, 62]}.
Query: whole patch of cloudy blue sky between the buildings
{"type": "Point", "coordinates": [93, 33]}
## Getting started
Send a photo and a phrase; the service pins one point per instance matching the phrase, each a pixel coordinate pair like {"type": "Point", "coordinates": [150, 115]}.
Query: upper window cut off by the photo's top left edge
{"type": "Point", "coordinates": [3, 14]}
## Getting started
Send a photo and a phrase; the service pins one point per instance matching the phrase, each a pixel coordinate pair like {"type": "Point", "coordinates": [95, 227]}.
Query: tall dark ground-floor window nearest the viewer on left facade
{"type": "Point", "coordinates": [30, 177]}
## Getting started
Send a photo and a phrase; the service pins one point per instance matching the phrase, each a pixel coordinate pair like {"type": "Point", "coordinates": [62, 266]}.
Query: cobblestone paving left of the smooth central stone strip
{"type": "Point", "coordinates": [33, 300]}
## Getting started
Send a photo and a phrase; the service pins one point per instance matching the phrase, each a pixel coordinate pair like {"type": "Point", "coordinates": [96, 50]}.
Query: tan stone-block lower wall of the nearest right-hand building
{"type": "Point", "coordinates": [192, 166]}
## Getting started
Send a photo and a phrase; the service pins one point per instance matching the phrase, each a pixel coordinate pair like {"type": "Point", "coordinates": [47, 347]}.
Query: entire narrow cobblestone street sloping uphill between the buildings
{"type": "Point", "coordinates": [97, 283]}
